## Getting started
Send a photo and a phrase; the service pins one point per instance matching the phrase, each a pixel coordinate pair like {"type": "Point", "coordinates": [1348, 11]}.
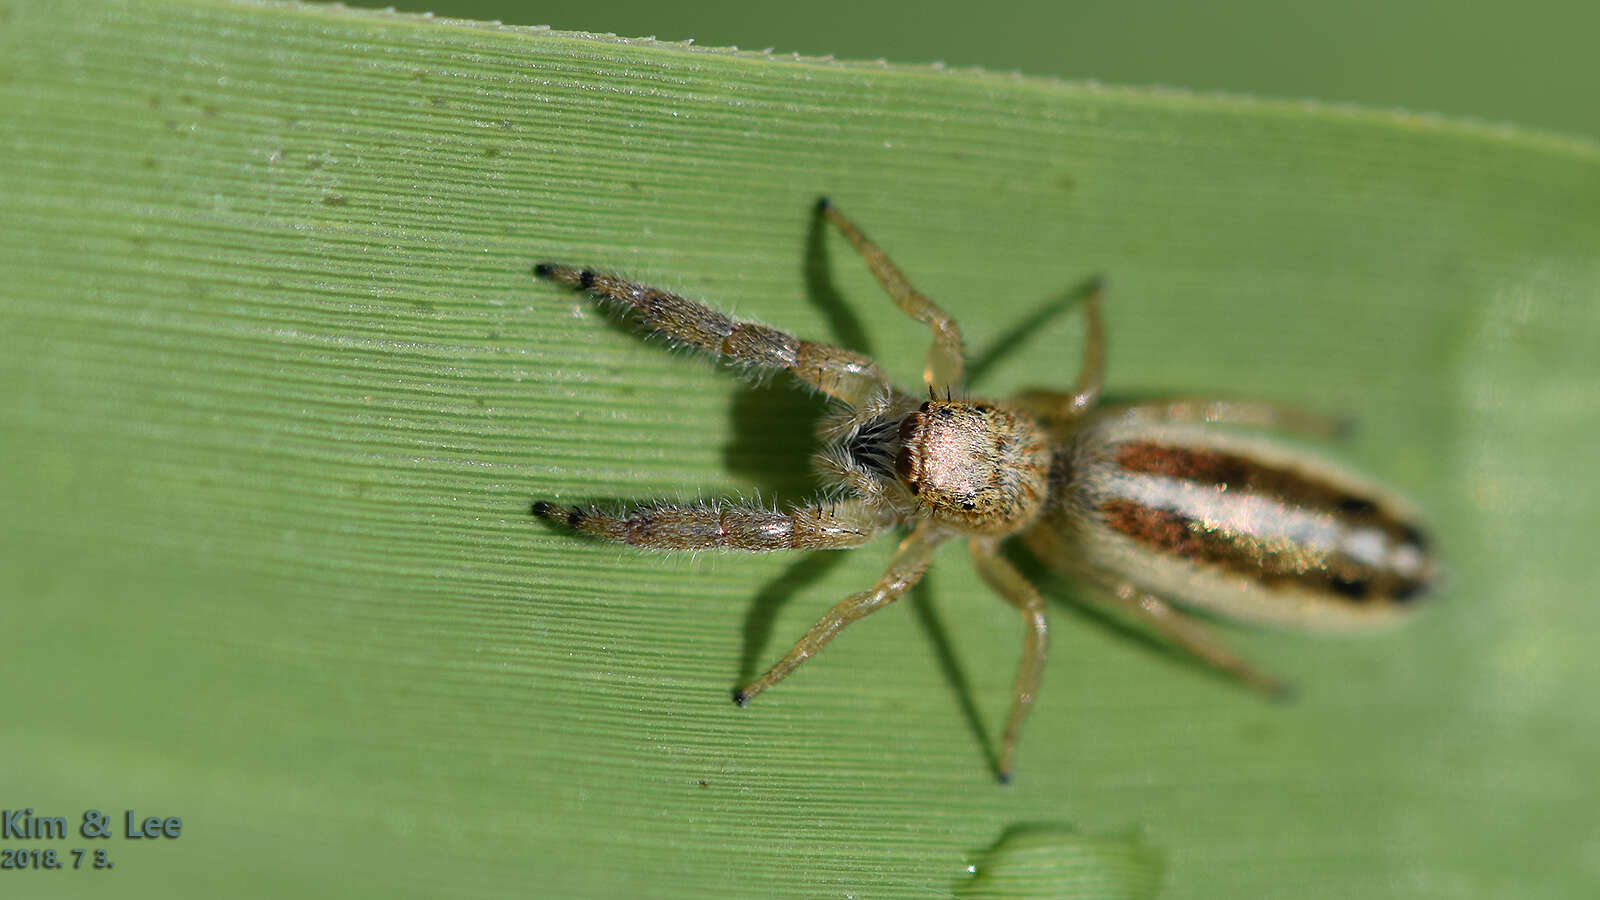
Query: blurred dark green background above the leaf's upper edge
{"type": "Point", "coordinates": [1530, 63]}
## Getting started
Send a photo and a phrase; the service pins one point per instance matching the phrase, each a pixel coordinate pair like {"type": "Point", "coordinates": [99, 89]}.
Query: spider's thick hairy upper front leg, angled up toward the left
{"type": "Point", "coordinates": [841, 374]}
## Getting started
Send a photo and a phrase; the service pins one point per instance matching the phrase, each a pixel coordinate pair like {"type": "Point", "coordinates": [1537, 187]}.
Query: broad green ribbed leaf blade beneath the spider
{"type": "Point", "coordinates": [278, 390]}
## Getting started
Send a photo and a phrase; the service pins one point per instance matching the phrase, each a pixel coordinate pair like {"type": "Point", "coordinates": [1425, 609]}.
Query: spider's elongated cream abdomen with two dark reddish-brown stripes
{"type": "Point", "coordinates": [1244, 528]}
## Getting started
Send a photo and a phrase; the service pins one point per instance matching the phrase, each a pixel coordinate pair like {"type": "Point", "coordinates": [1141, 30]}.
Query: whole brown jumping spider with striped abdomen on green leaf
{"type": "Point", "coordinates": [1151, 505]}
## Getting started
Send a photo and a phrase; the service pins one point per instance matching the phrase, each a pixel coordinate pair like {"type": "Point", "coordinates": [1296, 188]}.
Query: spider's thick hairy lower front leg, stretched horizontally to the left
{"type": "Point", "coordinates": [722, 526]}
